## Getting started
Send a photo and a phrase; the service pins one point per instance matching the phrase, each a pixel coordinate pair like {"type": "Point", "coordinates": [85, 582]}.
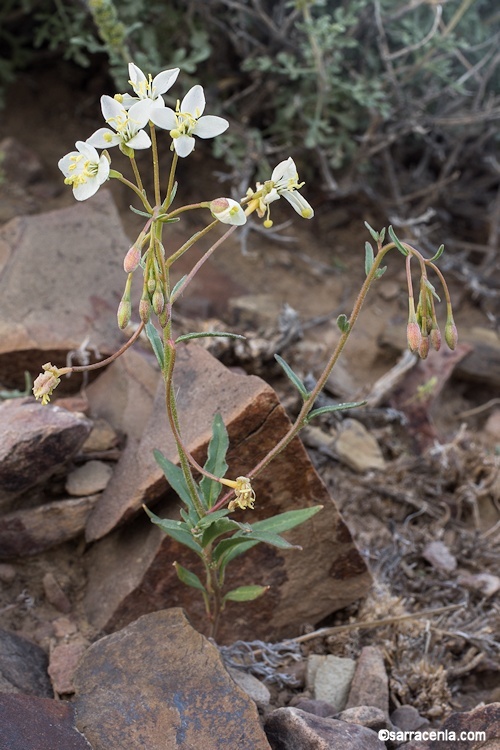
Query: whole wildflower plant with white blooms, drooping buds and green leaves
{"type": "Point", "coordinates": [209, 498]}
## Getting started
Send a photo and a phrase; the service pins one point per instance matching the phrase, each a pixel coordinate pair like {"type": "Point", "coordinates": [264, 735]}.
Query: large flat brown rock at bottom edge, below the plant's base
{"type": "Point", "coordinates": [159, 684]}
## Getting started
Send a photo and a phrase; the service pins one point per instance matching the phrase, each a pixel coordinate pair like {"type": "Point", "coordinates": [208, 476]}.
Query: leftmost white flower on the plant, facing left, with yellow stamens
{"type": "Point", "coordinates": [84, 170]}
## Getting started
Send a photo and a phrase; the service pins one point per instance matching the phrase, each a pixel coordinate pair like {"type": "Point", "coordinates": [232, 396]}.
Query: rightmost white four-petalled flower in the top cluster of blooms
{"type": "Point", "coordinates": [187, 121]}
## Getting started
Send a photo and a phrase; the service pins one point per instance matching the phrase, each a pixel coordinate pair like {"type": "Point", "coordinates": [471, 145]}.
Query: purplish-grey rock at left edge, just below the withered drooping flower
{"type": "Point", "coordinates": [35, 441]}
